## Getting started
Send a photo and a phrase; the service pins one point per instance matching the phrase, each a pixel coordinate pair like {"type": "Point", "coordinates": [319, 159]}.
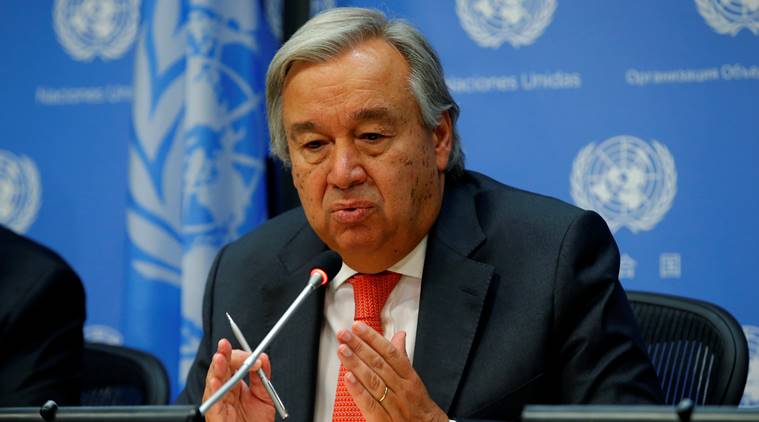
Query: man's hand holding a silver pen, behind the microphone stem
{"type": "Point", "coordinates": [243, 402]}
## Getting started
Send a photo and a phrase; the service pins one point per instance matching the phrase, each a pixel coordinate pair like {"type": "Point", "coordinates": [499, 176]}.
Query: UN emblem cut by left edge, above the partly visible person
{"type": "Point", "coordinates": [20, 191]}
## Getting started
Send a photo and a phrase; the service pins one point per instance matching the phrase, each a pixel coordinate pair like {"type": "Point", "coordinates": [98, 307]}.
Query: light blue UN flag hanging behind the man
{"type": "Point", "coordinates": [196, 163]}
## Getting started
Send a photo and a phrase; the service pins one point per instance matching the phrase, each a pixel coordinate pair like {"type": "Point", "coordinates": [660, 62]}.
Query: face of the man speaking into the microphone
{"type": "Point", "coordinates": [368, 173]}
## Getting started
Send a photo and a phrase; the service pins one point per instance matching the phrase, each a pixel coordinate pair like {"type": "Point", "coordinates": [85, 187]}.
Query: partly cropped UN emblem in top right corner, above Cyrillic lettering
{"type": "Point", "coordinates": [730, 16]}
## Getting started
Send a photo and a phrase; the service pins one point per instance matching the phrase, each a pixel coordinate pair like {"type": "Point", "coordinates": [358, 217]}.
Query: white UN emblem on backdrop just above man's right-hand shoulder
{"type": "Point", "coordinates": [629, 182]}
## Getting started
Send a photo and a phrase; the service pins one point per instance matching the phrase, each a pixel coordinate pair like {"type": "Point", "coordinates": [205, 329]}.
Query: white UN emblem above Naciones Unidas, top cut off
{"type": "Point", "coordinates": [492, 22]}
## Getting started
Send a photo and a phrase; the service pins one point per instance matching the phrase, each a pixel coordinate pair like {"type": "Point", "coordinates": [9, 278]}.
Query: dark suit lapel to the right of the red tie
{"type": "Point", "coordinates": [453, 293]}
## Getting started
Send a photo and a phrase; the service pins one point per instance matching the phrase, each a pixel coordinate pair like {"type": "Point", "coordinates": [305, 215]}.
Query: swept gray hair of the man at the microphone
{"type": "Point", "coordinates": [336, 30]}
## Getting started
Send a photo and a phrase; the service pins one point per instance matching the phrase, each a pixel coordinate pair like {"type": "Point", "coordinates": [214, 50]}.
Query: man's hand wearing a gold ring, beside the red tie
{"type": "Point", "coordinates": [380, 377]}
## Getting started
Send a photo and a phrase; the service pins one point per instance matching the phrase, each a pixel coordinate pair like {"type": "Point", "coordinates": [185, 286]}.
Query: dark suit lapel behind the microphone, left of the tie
{"type": "Point", "coordinates": [295, 350]}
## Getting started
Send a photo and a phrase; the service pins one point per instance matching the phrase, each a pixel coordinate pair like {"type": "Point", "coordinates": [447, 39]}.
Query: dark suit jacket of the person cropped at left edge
{"type": "Point", "coordinates": [41, 317]}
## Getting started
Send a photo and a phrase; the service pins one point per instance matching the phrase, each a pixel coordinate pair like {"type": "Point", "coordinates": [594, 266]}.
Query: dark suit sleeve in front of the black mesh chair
{"type": "Point", "coordinates": [601, 357]}
